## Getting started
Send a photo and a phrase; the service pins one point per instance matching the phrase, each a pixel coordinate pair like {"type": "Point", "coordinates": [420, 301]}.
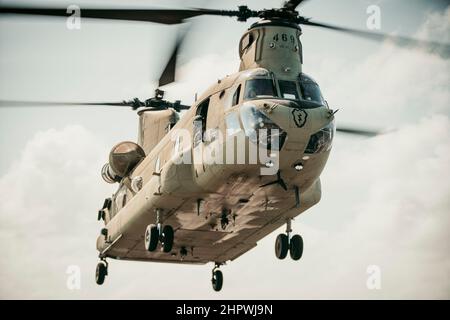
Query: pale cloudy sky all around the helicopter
{"type": "Point", "coordinates": [385, 200]}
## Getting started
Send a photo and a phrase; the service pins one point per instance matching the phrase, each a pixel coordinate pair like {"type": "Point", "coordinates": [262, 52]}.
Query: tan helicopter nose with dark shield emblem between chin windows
{"type": "Point", "coordinates": [302, 129]}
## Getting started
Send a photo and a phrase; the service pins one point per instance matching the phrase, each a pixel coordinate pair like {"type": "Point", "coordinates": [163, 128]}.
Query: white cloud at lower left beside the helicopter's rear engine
{"type": "Point", "coordinates": [46, 206]}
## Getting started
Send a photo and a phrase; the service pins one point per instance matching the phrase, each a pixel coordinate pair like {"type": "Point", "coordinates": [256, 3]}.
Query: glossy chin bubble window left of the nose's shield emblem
{"type": "Point", "coordinates": [261, 129]}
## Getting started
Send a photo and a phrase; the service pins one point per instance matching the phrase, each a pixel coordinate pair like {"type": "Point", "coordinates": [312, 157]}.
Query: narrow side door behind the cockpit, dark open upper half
{"type": "Point", "coordinates": [199, 126]}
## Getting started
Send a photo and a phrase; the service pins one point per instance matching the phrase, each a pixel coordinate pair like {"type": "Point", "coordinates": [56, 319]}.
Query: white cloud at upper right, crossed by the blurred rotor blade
{"type": "Point", "coordinates": [390, 87]}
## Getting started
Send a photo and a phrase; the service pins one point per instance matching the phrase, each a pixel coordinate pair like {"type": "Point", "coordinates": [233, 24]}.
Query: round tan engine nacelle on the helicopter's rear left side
{"type": "Point", "coordinates": [123, 158]}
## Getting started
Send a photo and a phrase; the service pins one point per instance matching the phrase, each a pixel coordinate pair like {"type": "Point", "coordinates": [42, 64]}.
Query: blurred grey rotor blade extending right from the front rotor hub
{"type": "Point", "coordinates": [443, 48]}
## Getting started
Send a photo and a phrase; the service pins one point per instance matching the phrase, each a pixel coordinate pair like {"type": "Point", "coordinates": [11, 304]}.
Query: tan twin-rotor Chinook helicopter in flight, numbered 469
{"type": "Point", "coordinates": [197, 211]}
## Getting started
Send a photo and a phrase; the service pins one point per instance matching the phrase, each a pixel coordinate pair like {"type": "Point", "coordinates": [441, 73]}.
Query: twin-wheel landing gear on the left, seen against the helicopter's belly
{"type": "Point", "coordinates": [155, 234]}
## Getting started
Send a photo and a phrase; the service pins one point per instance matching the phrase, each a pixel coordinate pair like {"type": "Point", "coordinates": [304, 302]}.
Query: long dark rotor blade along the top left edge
{"type": "Point", "coordinates": [164, 16]}
